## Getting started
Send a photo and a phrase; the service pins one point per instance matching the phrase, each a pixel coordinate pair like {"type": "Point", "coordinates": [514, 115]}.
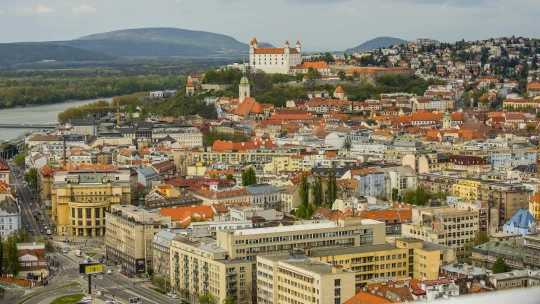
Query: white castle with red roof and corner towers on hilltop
{"type": "Point", "coordinates": [274, 60]}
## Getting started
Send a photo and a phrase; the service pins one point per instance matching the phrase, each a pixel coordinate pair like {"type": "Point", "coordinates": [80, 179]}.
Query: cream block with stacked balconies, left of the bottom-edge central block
{"type": "Point", "coordinates": [200, 266]}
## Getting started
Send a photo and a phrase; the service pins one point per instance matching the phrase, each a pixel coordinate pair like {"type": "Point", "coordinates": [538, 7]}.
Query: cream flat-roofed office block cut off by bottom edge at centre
{"type": "Point", "coordinates": [294, 278]}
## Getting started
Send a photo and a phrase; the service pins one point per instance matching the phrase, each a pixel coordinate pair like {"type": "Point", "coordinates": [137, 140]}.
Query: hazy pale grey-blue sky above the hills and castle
{"type": "Point", "coordinates": [318, 24]}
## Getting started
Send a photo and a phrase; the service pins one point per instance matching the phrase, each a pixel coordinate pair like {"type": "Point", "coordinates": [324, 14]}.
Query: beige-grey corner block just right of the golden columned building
{"type": "Point", "coordinates": [130, 234]}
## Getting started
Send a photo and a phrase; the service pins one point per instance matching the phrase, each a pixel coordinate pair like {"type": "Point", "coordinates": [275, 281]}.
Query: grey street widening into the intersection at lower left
{"type": "Point", "coordinates": [112, 285]}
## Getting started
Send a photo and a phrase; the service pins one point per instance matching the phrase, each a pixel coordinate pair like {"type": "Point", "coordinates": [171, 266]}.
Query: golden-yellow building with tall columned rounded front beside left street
{"type": "Point", "coordinates": [80, 198]}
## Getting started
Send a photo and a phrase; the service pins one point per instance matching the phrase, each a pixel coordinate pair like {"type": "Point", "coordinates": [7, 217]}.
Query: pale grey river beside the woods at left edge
{"type": "Point", "coordinates": [43, 114]}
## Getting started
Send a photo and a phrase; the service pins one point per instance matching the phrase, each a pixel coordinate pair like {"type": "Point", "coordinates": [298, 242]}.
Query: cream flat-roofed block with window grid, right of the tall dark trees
{"type": "Point", "coordinates": [442, 225]}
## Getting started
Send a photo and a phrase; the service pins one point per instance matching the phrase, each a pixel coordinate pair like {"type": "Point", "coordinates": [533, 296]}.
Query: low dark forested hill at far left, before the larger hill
{"type": "Point", "coordinates": [13, 53]}
